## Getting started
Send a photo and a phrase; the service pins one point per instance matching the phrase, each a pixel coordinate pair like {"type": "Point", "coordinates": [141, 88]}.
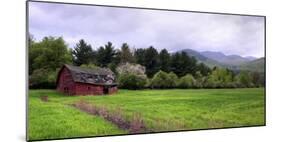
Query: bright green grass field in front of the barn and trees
{"type": "Point", "coordinates": [161, 110]}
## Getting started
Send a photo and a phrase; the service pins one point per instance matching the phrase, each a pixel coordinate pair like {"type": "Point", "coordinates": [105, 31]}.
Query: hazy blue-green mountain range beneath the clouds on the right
{"type": "Point", "coordinates": [234, 62]}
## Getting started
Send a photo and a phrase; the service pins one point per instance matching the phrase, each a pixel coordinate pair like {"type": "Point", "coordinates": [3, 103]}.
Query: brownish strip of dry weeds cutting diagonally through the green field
{"type": "Point", "coordinates": [136, 125]}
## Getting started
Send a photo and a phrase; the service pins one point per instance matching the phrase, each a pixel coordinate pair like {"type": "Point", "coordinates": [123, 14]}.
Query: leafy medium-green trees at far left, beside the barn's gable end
{"type": "Point", "coordinates": [45, 59]}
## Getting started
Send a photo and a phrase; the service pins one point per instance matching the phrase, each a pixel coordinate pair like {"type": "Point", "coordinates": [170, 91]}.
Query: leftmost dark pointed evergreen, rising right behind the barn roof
{"type": "Point", "coordinates": [83, 53]}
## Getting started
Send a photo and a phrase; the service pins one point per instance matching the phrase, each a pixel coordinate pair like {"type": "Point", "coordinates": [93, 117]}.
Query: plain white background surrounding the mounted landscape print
{"type": "Point", "coordinates": [12, 57]}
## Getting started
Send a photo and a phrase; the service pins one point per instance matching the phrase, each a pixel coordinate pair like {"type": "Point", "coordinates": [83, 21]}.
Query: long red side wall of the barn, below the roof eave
{"type": "Point", "coordinates": [88, 89]}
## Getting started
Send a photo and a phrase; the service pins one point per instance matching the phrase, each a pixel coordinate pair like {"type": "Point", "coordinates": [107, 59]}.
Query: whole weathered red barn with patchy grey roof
{"type": "Point", "coordinates": [73, 80]}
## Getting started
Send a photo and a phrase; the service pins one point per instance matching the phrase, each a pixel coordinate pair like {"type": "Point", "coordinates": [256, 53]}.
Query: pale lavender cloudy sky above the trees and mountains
{"type": "Point", "coordinates": [229, 34]}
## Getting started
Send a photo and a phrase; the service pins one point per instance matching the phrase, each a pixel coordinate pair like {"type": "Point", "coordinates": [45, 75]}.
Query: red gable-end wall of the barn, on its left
{"type": "Point", "coordinates": [65, 83]}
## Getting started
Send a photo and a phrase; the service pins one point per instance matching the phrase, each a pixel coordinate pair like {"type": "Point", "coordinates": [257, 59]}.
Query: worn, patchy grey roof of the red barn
{"type": "Point", "coordinates": [97, 76]}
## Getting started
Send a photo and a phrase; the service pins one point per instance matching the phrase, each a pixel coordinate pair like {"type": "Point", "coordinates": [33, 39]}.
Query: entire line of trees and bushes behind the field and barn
{"type": "Point", "coordinates": [135, 68]}
